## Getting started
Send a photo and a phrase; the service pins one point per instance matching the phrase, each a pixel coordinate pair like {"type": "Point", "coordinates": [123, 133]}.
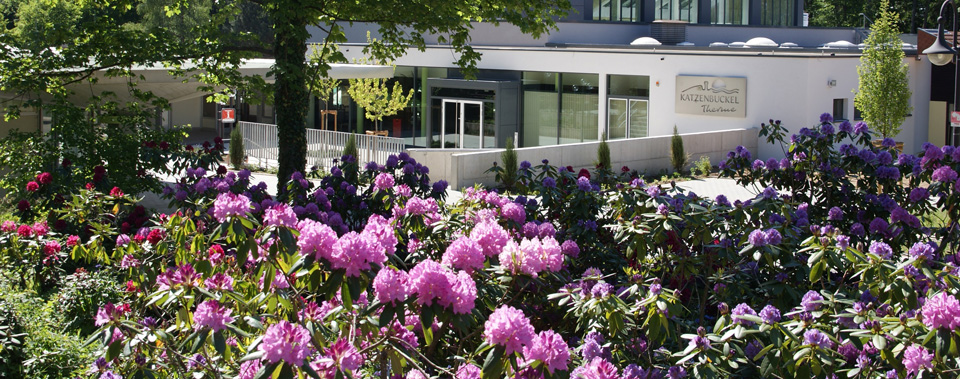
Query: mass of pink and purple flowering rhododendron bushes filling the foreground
{"type": "Point", "coordinates": [844, 265]}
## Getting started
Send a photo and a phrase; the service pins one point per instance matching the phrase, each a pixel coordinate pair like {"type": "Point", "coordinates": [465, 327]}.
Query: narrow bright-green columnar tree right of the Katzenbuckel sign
{"type": "Point", "coordinates": [883, 94]}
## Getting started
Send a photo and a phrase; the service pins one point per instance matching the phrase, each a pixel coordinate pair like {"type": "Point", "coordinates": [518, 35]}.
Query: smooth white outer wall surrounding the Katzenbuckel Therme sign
{"type": "Point", "coordinates": [792, 88]}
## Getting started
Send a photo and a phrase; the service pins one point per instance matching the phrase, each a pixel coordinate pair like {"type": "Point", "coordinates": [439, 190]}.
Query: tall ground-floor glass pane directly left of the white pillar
{"type": "Point", "coordinates": [579, 108]}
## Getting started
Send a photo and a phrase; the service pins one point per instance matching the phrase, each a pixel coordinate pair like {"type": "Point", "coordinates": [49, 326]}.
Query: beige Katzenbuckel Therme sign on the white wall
{"type": "Point", "coordinates": [712, 96]}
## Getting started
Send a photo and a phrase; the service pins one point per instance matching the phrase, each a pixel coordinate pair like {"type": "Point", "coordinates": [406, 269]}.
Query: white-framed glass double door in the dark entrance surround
{"type": "Point", "coordinates": [463, 124]}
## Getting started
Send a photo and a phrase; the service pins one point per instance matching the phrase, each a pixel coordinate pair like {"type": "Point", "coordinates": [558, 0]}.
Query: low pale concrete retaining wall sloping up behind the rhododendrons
{"type": "Point", "coordinates": [463, 168]}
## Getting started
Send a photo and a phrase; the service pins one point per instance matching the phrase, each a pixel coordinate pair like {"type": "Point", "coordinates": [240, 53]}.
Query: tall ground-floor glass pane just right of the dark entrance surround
{"type": "Point", "coordinates": [540, 101]}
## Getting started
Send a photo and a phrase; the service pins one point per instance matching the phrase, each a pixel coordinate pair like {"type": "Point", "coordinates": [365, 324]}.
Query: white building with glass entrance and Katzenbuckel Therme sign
{"type": "Point", "coordinates": [631, 68]}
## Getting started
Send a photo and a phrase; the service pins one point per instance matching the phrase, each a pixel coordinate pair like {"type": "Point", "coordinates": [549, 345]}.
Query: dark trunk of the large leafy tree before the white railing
{"type": "Point", "coordinates": [291, 96]}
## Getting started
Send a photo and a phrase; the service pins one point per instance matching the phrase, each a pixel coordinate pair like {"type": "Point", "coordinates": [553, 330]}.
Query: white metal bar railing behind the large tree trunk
{"type": "Point", "coordinates": [260, 144]}
